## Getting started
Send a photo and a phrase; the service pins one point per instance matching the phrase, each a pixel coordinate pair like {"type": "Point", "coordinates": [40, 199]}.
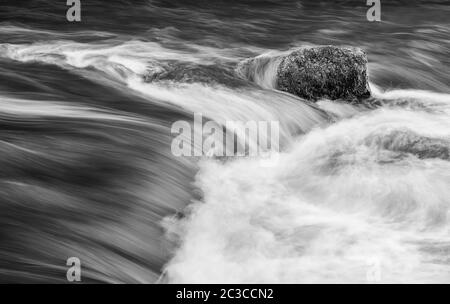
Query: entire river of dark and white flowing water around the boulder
{"type": "Point", "coordinates": [86, 168]}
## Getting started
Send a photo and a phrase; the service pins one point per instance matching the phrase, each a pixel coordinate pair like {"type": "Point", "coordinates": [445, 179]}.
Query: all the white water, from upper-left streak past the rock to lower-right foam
{"type": "Point", "coordinates": [352, 187]}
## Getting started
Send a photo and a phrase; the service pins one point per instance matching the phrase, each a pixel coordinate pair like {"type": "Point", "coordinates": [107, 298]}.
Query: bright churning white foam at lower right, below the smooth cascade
{"type": "Point", "coordinates": [338, 202]}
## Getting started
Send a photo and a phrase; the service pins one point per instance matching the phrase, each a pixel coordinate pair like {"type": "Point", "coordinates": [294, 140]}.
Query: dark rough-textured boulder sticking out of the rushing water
{"type": "Point", "coordinates": [325, 72]}
